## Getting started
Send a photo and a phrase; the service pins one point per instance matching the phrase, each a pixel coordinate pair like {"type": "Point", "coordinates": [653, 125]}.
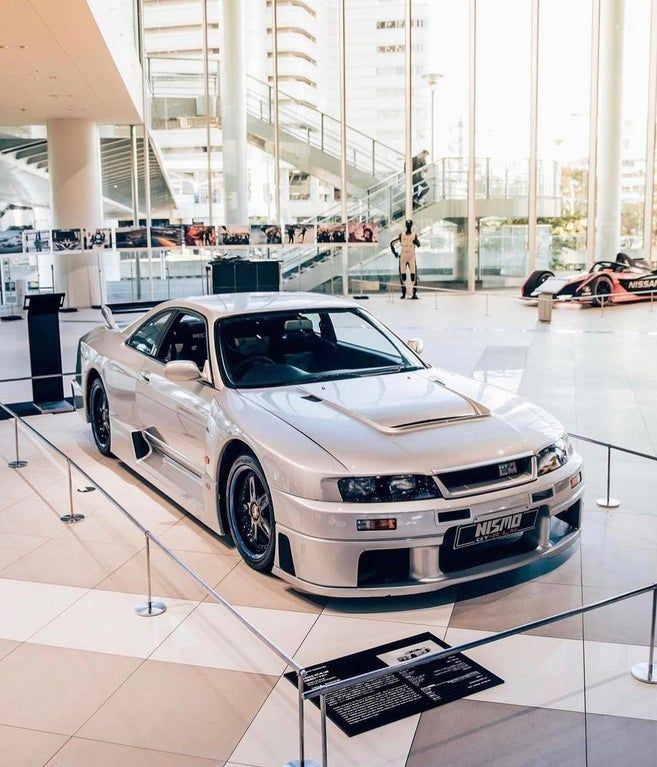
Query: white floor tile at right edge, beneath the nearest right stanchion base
{"type": "Point", "coordinates": [610, 688]}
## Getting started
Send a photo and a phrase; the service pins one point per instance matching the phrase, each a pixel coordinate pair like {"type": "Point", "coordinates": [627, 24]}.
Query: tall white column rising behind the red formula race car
{"type": "Point", "coordinates": [610, 117]}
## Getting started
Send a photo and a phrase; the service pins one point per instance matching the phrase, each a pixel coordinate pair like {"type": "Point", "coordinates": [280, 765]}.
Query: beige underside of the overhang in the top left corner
{"type": "Point", "coordinates": [55, 62]}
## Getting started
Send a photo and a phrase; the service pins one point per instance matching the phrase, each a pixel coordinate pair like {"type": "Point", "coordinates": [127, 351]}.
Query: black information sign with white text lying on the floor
{"type": "Point", "coordinates": [368, 705]}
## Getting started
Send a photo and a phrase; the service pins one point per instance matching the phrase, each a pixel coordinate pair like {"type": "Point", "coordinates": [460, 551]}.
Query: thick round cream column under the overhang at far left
{"type": "Point", "coordinates": [77, 203]}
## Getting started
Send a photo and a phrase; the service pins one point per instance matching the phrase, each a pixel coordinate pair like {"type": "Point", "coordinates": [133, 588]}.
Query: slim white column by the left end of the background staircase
{"type": "Point", "coordinates": [233, 112]}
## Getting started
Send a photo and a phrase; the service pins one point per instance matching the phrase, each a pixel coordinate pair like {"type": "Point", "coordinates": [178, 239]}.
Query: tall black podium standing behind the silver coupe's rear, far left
{"type": "Point", "coordinates": [46, 351]}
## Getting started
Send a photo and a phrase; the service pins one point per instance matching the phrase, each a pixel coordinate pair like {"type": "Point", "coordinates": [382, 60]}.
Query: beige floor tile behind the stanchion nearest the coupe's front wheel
{"type": "Point", "coordinates": [168, 578]}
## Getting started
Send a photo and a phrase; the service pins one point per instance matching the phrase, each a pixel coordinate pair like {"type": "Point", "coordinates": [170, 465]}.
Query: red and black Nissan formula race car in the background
{"type": "Point", "coordinates": [623, 280]}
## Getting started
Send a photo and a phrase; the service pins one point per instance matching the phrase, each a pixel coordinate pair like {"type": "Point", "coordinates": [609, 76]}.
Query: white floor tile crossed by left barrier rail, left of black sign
{"type": "Point", "coordinates": [211, 636]}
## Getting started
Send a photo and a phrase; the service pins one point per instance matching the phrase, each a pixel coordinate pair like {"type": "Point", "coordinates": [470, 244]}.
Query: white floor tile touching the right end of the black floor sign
{"type": "Point", "coordinates": [537, 671]}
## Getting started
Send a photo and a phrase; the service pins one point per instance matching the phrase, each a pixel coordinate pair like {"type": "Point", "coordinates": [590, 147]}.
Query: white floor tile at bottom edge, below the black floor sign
{"type": "Point", "coordinates": [272, 739]}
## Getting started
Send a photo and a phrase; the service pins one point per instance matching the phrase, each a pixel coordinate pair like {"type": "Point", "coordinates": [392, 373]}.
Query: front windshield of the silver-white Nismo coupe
{"type": "Point", "coordinates": [283, 348]}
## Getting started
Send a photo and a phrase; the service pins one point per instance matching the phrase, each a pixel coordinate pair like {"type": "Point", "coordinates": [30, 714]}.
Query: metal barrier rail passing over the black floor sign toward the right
{"type": "Point", "coordinates": [342, 684]}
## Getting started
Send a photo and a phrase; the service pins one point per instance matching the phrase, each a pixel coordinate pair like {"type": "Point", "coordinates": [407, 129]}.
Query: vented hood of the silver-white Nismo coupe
{"type": "Point", "coordinates": [420, 421]}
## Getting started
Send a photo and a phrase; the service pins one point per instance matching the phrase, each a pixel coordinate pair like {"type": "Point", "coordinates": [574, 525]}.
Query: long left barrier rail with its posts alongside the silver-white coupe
{"type": "Point", "coordinates": [148, 535]}
